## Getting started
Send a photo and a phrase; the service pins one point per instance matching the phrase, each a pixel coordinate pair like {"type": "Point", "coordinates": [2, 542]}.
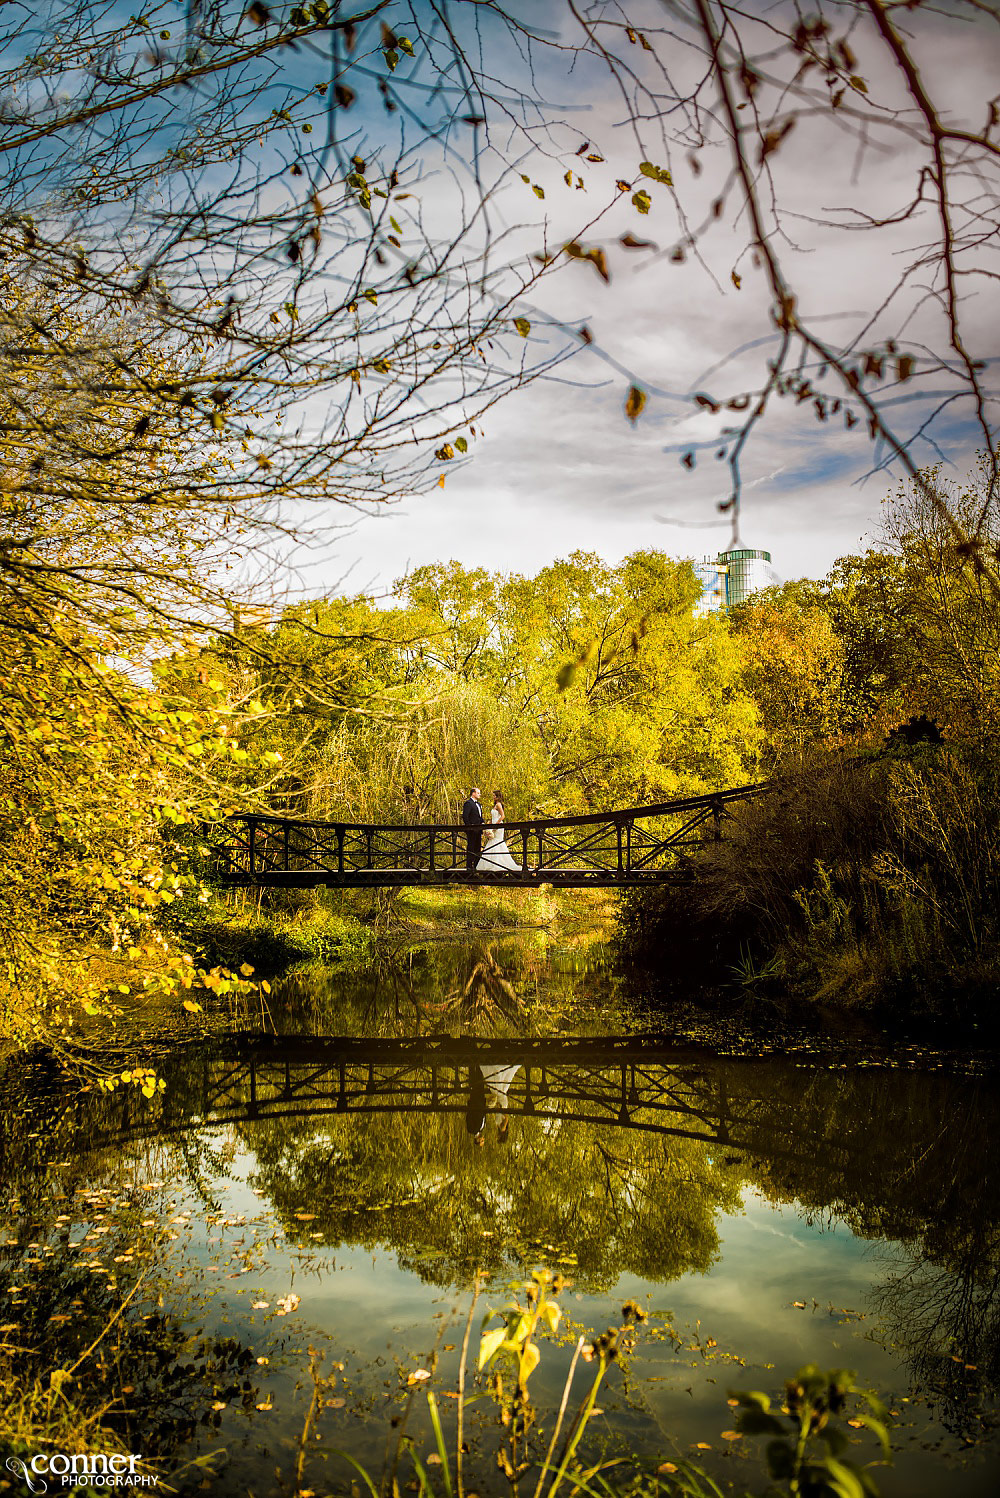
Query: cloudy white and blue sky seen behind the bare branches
{"type": "Point", "coordinates": [556, 467]}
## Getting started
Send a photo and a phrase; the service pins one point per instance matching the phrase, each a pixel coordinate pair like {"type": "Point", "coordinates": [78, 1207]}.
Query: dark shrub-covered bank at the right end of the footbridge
{"type": "Point", "coordinates": [865, 885]}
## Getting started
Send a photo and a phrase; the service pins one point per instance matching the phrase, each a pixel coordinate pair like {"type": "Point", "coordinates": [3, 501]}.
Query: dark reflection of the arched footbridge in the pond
{"type": "Point", "coordinates": [628, 1082]}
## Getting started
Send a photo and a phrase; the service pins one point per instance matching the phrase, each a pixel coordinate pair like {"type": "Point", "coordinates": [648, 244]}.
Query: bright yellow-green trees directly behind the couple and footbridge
{"type": "Point", "coordinates": [582, 688]}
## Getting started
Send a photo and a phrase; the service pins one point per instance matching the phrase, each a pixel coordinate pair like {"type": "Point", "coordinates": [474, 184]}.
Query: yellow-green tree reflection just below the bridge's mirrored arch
{"type": "Point", "coordinates": [415, 1183]}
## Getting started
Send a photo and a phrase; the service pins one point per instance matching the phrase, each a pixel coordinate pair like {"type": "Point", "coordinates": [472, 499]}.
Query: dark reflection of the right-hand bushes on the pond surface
{"type": "Point", "coordinates": [912, 1159]}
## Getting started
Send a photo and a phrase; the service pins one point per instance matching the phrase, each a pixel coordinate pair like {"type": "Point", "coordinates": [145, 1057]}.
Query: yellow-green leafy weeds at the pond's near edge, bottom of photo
{"type": "Point", "coordinates": [809, 1434]}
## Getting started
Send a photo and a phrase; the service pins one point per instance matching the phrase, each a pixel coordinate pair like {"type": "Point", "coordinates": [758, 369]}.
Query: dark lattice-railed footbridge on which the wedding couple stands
{"type": "Point", "coordinates": [626, 849]}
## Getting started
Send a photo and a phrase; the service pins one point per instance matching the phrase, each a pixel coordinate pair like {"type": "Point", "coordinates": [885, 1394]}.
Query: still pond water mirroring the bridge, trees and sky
{"type": "Point", "coordinates": [320, 1186]}
